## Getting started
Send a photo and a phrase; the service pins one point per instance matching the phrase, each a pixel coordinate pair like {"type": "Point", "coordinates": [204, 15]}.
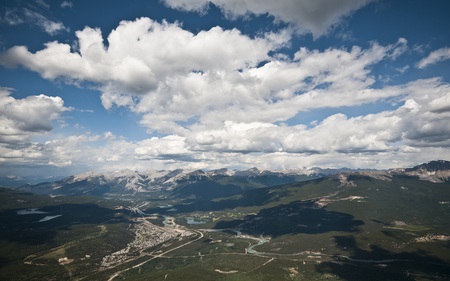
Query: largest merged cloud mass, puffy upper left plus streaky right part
{"type": "Point", "coordinates": [172, 76]}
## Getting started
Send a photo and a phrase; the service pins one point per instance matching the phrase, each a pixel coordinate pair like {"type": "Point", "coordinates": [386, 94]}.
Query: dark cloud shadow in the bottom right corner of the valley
{"type": "Point", "coordinates": [380, 264]}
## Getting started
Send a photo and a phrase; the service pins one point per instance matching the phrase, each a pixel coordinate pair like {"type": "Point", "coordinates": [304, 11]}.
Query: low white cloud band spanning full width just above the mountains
{"type": "Point", "coordinates": [416, 131]}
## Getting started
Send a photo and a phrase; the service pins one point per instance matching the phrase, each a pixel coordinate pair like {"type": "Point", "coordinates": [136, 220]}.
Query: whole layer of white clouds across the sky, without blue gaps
{"type": "Point", "coordinates": [222, 98]}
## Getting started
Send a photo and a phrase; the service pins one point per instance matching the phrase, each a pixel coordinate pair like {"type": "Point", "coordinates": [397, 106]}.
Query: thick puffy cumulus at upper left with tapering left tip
{"type": "Point", "coordinates": [142, 56]}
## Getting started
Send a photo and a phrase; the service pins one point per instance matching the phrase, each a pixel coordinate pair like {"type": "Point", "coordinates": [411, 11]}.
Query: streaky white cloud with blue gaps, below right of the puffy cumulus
{"type": "Point", "coordinates": [273, 92]}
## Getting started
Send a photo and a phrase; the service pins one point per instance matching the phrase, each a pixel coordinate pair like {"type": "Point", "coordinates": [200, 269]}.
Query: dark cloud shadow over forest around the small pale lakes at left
{"type": "Point", "coordinates": [26, 229]}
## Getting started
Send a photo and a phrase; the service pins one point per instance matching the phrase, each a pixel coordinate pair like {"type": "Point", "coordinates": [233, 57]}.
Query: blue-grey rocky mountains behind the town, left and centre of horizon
{"type": "Point", "coordinates": [179, 182]}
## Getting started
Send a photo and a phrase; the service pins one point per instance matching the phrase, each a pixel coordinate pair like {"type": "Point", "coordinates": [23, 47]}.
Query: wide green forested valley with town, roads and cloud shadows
{"type": "Point", "coordinates": [348, 226]}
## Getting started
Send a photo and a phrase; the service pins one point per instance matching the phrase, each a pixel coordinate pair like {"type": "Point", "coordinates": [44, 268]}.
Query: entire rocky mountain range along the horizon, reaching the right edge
{"type": "Point", "coordinates": [215, 183]}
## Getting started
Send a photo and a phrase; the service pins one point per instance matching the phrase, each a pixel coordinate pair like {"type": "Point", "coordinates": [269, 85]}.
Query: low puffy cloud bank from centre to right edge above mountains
{"type": "Point", "coordinates": [422, 120]}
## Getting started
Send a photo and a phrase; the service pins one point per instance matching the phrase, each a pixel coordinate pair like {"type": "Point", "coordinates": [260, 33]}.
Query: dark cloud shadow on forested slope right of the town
{"type": "Point", "coordinates": [293, 218]}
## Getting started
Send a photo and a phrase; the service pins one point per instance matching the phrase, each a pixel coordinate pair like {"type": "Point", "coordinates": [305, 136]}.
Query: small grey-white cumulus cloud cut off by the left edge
{"type": "Point", "coordinates": [22, 118]}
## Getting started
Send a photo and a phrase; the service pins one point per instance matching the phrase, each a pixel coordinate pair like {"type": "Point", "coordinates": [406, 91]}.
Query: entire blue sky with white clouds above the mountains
{"type": "Point", "coordinates": [196, 84]}
